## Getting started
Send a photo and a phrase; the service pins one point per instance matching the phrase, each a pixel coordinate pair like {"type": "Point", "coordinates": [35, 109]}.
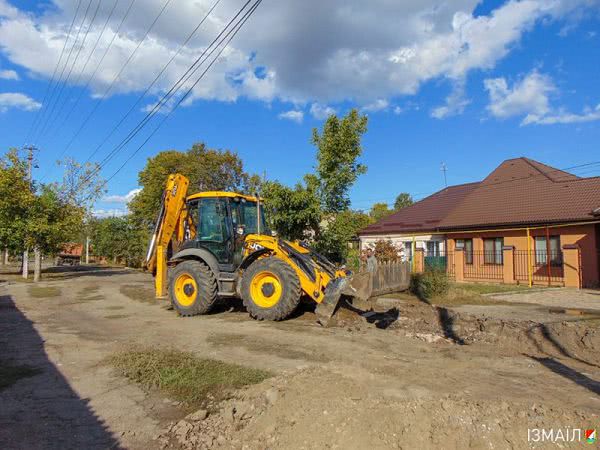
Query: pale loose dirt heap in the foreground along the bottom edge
{"type": "Point", "coordinates": [315, 408]}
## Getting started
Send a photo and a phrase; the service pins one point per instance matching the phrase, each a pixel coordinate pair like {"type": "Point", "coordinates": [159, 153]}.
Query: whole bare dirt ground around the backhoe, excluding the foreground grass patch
{"type": "Point", "coordinates": [407, 375]}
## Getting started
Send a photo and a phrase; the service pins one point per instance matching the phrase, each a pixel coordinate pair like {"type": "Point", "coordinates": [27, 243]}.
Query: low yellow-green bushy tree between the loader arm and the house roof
{"type": "Point", "coordinates": [337, 231]}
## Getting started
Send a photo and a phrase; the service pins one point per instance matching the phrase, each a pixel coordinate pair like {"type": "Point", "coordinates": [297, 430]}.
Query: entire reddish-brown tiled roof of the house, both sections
{"type": "Point", "coordinates": [518, 192]}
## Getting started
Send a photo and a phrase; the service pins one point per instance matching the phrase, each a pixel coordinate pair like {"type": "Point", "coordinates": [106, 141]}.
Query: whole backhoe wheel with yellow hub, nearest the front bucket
{"type": "Point", "coordinates": [270, 289]}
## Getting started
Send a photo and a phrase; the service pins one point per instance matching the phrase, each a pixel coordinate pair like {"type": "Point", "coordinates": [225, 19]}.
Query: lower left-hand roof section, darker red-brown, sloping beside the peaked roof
{"type": "Point", "coordinates": [424, 215]}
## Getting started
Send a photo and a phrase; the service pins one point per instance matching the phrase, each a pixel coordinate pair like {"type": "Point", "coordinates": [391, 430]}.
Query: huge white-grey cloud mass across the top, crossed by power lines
{"type": "Point", "coordinates": [287, 50]}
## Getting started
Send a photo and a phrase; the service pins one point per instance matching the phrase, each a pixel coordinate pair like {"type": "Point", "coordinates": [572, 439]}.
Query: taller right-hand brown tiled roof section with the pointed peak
{"type": "Point", "coordinates": [523, 191]}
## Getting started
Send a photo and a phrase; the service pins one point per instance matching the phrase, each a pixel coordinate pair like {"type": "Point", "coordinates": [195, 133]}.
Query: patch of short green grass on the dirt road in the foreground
{"type": "Point", "coordinates": [183, 376]}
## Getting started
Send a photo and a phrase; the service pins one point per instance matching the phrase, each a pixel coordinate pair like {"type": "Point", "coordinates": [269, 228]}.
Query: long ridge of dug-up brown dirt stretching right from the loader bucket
{"type": "Point", "coordinates": [437, 324]}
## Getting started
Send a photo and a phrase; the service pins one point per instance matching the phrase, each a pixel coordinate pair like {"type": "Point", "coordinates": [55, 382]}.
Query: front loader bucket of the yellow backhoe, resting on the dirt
{"type": "Point", "coordinates": [358, 287]}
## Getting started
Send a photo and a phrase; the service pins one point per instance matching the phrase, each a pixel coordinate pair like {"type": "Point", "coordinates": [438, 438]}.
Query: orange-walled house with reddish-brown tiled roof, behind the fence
{"type": "Point", "coordinates": [517, 225]}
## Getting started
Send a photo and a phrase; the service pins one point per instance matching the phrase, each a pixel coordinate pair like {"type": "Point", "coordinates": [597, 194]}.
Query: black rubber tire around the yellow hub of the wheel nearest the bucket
{"type": "Point", "coordinates": [288, 297]}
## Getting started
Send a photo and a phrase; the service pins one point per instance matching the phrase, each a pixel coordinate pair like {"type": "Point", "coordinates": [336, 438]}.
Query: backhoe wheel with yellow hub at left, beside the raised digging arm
{"type": "Point", "coordinates": [187, 299]}
